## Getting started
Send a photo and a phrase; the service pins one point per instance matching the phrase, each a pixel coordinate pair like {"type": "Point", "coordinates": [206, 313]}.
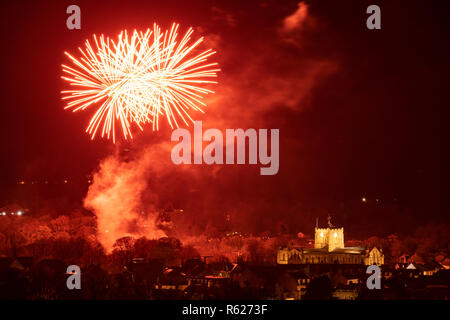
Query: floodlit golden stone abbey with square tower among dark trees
{"type": "Point", "coordinates": [329, 249]}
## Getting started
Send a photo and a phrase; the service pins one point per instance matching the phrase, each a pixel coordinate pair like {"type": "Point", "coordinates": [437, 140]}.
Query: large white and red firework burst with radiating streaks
{"type": "Point", "coordinates": [137, 79]}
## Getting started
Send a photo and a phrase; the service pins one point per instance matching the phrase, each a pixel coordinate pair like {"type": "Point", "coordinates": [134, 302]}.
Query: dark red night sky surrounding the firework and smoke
{"type": "Point", "coordinates": [369, 126]}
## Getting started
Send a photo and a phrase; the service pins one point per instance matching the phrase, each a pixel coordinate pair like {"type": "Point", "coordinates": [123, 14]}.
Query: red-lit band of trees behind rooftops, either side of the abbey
{"type": "Point", "coordinates": [73, 239]}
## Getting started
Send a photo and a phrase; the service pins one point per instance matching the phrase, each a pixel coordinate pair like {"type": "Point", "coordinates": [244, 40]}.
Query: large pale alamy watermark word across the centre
{"type": "Point", "coordinates": [213, 153]}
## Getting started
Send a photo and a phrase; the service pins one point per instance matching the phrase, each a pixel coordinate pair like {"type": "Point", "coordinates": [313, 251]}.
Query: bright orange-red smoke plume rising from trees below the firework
{"type": "Point", "coordinates": [116, 199]}
